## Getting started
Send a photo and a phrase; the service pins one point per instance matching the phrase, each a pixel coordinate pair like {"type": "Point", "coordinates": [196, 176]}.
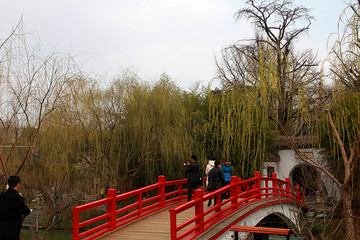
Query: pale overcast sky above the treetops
{"type": "Point", "coordinates": [179, 37]}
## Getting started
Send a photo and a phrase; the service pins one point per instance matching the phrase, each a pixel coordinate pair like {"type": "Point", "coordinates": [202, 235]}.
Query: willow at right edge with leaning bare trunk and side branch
{"type": "Point", "coordinates": [333, 114]}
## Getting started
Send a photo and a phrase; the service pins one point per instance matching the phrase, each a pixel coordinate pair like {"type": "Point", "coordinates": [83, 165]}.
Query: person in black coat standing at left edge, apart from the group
{"type": "Point", "coordinates": [12, 211]}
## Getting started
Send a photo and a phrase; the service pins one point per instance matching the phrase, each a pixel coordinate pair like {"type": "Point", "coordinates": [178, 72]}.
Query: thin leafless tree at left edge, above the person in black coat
{"type": "Point", "coordinates": [31, 86]}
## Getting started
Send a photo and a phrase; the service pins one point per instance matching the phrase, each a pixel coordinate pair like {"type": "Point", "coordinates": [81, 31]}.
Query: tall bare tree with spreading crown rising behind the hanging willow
{"type": "Point", "coordinates": [270, 56]}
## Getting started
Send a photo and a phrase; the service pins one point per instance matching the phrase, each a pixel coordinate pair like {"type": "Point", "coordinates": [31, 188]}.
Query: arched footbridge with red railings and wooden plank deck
{"type": "Point", "coordinates": [123, 216]}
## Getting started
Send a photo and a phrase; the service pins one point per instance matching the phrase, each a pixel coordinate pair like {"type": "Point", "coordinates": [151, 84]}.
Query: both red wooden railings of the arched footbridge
{"type": "Point", "coordinates": [118, 210]}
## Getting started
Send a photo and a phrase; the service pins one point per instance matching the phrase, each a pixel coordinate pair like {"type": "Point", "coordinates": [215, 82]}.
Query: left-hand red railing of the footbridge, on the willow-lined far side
{"type": "Point", "coordinates": [140, 208]}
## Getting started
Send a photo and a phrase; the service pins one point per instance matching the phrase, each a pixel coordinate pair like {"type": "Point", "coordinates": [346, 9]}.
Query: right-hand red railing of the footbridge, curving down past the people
{"type": "Point", "coordinates": [242, 193]}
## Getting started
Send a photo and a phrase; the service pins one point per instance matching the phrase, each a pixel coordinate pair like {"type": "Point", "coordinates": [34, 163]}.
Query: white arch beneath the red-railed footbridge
{"type": "Point", "coordinates": [288, 213]}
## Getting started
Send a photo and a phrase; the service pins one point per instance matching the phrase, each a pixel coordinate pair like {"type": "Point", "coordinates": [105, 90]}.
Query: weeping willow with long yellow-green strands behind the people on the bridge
{"type": "Point", "coordinates": [242, 116]}
